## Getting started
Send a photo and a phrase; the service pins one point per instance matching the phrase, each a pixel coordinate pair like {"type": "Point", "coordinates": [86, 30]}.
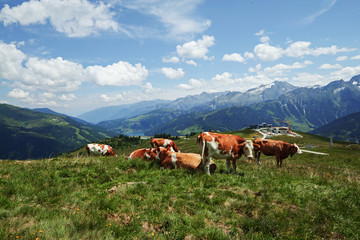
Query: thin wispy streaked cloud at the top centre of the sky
{"type": "Point", "coordinates": [177, 17]}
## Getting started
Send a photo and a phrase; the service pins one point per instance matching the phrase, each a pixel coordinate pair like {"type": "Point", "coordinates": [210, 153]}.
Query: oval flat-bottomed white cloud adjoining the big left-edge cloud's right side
{"type": "Point", "coordinates": [117, 74]}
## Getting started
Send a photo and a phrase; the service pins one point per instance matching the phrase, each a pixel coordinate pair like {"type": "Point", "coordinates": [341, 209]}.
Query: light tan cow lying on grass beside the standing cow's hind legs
{"type": "Point", "coordinates": [190, 161]}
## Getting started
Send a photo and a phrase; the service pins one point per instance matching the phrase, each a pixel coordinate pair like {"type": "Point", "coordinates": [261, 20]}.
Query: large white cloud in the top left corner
{"type": "Point", "coordinates": [75, 18]}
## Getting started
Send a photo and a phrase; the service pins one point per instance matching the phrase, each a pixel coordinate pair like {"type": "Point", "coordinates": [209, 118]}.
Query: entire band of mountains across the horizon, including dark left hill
{"type": "Point", "coordinates": [331, 110]}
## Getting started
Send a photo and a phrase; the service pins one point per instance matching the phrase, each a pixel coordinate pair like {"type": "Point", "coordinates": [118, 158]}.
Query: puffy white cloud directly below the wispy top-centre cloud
{"type": "Point", "coordinates": [196, 49]}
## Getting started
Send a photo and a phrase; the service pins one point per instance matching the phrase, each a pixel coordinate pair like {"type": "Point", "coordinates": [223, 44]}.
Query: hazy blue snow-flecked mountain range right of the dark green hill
{"type": "Point", "coordinates": [307, 108]}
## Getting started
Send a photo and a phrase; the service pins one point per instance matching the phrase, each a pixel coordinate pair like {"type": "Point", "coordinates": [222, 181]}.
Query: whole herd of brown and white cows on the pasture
{"type": "Point", "coordinates": [211, 145]}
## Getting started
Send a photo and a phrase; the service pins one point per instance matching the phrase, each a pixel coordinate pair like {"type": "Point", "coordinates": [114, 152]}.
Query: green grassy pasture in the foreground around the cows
{"type": "Point", "coordinates": [311, 197]}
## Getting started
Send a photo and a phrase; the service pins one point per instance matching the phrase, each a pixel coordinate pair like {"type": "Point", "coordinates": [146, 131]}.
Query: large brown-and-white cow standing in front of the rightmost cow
{"type": "Point", "coordinates": [218, 146]}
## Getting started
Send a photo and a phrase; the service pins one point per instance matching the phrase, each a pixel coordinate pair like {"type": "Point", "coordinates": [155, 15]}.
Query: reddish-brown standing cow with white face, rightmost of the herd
{"type": "Point", "coordinates": [277, 148]}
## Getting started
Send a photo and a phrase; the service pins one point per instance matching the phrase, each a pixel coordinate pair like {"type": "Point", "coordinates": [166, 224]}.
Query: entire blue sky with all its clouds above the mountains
{"type": "Point", "coordinates": [78, 55]}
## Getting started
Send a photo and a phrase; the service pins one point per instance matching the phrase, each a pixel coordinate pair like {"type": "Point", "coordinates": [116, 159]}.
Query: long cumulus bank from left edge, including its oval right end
{"type": "Point", "coordinates": [59, 75]}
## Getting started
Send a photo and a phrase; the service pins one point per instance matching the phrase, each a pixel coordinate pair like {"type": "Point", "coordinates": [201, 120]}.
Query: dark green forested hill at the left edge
{"type": "Point", "coordinates": [29, 134]}
